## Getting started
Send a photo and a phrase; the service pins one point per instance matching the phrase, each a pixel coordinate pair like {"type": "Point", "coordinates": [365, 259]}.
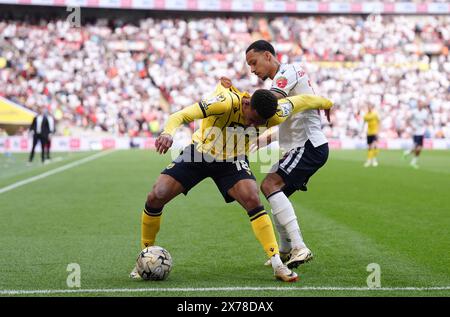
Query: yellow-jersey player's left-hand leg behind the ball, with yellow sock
{"type": "Point", "coordinates": [165, 189]}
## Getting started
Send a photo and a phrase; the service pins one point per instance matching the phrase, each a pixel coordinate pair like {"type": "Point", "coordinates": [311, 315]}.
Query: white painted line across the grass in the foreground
{"type": "Point", "coordinates": [216, 289]}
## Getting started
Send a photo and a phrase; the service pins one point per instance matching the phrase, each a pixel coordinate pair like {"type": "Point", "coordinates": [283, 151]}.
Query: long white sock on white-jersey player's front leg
{"type": "Point", "coordinates": [284, 216]}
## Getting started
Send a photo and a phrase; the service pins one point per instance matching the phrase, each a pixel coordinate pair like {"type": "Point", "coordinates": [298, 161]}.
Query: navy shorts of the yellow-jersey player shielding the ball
{"type": "Point", "coordinates": [192, 166]}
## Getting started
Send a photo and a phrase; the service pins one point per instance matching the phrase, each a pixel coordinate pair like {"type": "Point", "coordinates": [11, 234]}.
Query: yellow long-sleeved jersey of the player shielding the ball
{"type": "Point", "coordinates": [222, 132]}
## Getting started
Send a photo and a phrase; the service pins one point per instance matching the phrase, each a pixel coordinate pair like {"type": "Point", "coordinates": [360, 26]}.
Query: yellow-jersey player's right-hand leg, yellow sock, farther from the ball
{"type": "Point", "coordinates": [246, 193]}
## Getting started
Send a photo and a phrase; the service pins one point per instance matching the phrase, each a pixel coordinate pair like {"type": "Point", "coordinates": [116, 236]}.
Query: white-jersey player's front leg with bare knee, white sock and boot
{"type": "Point", "coordinates": [285, 219]}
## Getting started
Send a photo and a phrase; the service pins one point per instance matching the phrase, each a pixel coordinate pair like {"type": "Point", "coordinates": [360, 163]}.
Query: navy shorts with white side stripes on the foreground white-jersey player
{"type": "Point", "coordinates": [299, 164]}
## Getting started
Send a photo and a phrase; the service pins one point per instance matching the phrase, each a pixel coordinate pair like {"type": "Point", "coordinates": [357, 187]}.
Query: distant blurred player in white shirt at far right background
{"type": "Point", "coordinates": [418, 120]}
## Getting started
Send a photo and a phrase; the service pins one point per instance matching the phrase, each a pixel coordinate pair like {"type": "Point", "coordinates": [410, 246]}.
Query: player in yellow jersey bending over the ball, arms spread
{"type": "Point", "coordinates": [228, 117]}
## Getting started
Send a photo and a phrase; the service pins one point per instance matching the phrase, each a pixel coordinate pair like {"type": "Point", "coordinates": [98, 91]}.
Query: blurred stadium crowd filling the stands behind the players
{"type": "Point", "coordinates": [125, 78]}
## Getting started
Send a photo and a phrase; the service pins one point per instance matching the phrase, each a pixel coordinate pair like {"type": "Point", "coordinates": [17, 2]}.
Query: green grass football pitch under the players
{"type": "Point", "coordinates": [351, 216]}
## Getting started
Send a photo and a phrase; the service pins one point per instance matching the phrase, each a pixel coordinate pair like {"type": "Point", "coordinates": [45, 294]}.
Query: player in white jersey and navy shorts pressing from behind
{"type": "Point", "coordinates": [303, 143]}
